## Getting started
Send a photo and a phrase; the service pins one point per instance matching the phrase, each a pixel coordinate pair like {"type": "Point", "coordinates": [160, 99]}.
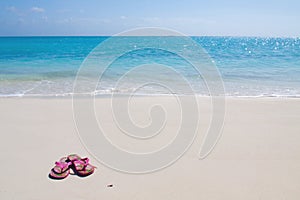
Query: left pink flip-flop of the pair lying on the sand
{"type": "Point", "coordinates": [61, 169]}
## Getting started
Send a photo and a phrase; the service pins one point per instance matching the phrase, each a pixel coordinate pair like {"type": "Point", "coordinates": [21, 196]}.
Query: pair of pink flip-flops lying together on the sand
{"type": "Point", "coordinates": [80, 166]}
